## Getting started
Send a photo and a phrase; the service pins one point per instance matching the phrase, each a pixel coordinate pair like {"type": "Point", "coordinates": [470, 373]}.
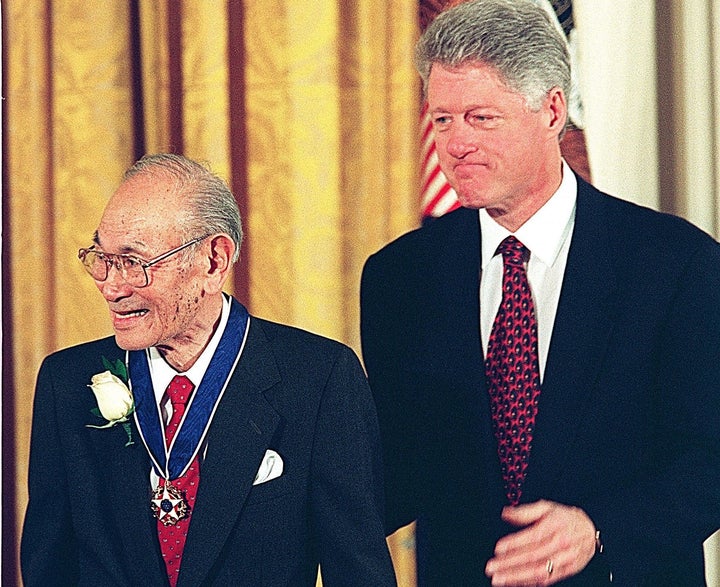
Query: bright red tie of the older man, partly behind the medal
{"type": "Point", "coordinates": [172, 538]}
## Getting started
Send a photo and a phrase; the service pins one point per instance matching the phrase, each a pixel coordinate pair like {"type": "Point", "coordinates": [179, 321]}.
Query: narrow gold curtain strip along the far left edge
{"type": "Point", "coordinates": [24, 255]}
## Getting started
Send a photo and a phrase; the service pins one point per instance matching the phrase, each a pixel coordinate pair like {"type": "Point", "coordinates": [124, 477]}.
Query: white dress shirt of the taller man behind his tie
{"type": "Point", "coordinates": [547, 235]}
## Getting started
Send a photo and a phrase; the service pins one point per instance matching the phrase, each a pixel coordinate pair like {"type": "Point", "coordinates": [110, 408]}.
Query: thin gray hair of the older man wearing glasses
{"type": "Point", "coordinates": [212, 207]}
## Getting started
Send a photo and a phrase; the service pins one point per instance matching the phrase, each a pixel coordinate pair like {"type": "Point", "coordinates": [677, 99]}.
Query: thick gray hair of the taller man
{"type": "Point", "coordinates": [518, 38]}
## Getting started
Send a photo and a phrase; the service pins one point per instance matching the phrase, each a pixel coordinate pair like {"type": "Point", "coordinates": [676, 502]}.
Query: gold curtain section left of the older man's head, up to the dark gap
{"type": "Point", "coordinates": [67, 100]}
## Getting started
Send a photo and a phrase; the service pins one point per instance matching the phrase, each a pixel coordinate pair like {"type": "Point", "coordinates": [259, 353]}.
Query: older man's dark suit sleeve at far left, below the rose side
{"type": "Point", "coordinates": [48, 552]}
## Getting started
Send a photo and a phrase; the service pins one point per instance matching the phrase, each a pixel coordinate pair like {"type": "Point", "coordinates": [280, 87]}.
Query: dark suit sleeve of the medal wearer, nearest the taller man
{"type": "Point", "coordinates": [347, 494]}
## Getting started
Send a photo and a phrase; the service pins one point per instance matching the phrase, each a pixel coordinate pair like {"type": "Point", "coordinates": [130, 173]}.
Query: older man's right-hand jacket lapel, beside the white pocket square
{"type": "Point", "coordinates": [238, 438]}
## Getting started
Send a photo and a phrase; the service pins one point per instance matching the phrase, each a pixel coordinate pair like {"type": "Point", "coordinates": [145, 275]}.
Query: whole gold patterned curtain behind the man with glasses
{"type": "Point", "coordinates": [309, 110]}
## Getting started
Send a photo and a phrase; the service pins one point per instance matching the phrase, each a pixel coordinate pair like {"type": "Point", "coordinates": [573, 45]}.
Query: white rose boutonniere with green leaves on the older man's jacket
{"type": "Point", "coordinates": [114, 398]}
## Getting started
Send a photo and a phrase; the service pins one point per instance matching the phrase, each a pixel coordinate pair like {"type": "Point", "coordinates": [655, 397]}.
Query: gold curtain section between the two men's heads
{"type": "Point", "coordinates": [331, 98]}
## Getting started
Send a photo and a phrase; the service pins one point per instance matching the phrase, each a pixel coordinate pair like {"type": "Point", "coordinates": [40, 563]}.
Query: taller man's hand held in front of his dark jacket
{"type": "Point", "coordinates": [556, 542]}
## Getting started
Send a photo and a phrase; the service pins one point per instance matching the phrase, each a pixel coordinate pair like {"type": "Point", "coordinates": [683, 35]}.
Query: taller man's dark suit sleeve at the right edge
{"type": "Point", "coordinates": [677, 505]}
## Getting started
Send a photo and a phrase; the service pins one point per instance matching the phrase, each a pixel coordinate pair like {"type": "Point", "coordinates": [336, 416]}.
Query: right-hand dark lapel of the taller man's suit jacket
{"type": "Point", "coordinates": [584, 321]}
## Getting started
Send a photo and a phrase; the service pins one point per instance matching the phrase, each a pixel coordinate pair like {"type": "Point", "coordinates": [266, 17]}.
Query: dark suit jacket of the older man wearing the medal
{"type": "Point", "coordinates": [89, 522]}
